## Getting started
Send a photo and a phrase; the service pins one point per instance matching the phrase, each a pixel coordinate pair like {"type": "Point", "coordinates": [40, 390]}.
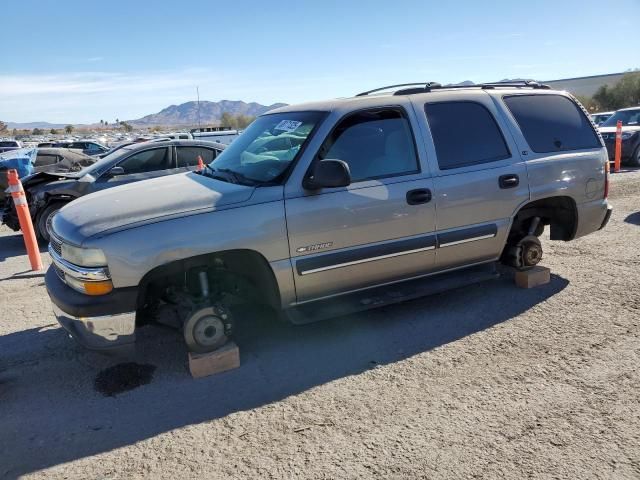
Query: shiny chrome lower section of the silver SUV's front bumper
{"type": "Point", "coordinates": [99, 333]}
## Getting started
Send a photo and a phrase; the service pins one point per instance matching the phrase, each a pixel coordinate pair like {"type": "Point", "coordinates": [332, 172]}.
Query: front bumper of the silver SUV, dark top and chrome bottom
{"type": "Point", "coordinates": [97, 323]}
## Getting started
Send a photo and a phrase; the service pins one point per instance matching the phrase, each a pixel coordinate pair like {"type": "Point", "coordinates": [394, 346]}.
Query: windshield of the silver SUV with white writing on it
{"type": "Point", "coordinates": [266, 149]}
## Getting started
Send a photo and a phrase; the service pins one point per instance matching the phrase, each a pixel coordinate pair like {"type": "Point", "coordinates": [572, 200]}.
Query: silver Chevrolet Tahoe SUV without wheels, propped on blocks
{"type": "Point", "coordinates": [324, 208]}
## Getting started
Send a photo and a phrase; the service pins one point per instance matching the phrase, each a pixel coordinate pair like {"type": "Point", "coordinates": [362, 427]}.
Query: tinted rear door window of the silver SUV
{"type": "Point", "coordinates": [464, 133]}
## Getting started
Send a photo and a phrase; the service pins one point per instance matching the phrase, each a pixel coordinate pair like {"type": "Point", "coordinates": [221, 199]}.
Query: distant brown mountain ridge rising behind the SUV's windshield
{"type": "Point", "coordinates": [210, 112]}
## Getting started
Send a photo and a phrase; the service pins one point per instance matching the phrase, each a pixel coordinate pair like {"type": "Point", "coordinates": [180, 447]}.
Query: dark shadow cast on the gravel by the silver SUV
{"type": "Point", "coordinates": [51, 414]}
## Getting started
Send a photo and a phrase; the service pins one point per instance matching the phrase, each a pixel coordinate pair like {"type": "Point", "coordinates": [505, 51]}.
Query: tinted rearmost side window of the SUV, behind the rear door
{"type": "Point", "coordinates": [552, 123]}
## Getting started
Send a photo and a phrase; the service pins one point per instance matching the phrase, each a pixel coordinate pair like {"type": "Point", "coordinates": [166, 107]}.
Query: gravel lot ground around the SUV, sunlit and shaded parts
{"type": "Point", "coordinates": [491, 381]}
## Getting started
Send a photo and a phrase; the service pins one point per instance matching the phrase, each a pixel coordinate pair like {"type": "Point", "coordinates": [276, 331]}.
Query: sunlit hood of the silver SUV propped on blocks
{"type": "Point", "coordinates": [143, 202]}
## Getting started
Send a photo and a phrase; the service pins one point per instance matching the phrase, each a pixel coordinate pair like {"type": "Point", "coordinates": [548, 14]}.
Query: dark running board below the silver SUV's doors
{"type": "Point", "coordinates": [390, 294]}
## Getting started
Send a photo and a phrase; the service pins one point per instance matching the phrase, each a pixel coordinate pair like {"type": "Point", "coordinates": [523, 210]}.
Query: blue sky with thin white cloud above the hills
{"type": "Point", "coordinates": [71, 61]}
